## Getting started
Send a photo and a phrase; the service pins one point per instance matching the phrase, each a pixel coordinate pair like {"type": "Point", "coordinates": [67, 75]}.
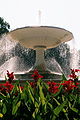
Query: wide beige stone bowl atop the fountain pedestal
{"type": "Point", "coordinates": [46, 36]}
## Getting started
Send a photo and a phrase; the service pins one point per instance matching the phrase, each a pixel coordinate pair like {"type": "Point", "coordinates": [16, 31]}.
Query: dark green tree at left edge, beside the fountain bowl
{"type": "Point", "coordinates": [4, 26]}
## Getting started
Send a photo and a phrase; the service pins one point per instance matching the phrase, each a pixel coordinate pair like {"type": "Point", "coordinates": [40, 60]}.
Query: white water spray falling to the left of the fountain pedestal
{"type": "Point", "coordinates": [11, 57]}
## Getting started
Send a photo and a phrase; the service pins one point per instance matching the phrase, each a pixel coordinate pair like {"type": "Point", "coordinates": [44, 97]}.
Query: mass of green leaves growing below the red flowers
{"type": "Point", "coordinates": [37, 103]}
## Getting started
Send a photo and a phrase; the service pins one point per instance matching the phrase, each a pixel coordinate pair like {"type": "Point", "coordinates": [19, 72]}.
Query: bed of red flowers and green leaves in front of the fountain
{"type": "Point", "coordinates": [39, 100]}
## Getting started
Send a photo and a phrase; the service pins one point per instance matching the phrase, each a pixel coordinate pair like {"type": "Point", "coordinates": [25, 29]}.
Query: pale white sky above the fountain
{"type": "Point", "coordinates": [59, 13]}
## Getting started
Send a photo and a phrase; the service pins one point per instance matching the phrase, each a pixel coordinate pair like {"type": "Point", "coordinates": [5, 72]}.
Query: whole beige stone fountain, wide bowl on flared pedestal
{"type": "Point", "coordinates": [40, 38]}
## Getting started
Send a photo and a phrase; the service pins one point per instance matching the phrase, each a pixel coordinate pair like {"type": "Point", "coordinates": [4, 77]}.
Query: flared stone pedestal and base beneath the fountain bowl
{"type": "Point", "coordinates": [41, 66]}
